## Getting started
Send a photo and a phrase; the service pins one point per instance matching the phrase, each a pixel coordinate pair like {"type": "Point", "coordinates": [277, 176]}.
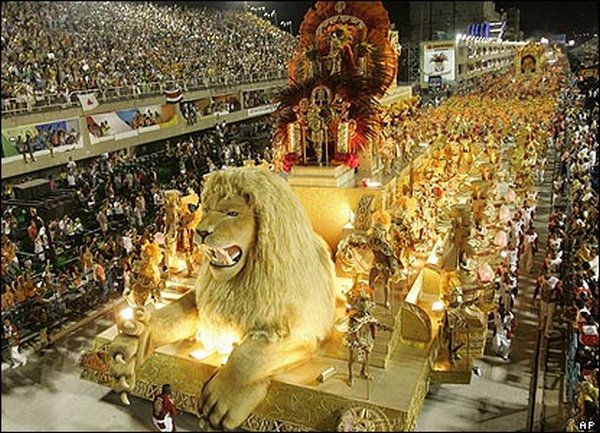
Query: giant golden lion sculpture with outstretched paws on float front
{"type": "Point", "coordinates": [267, 278]}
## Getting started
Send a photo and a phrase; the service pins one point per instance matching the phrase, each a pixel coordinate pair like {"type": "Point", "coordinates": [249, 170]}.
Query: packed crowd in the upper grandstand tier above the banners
{"type": "Point", "coordinates": [63, 47]}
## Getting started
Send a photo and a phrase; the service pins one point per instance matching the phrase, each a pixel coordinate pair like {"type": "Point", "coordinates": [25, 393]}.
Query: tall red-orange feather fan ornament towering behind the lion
{"type": "Point", "coordinates": [344, 52]}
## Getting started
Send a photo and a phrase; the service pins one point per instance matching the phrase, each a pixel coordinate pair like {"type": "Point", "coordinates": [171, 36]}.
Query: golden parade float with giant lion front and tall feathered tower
{"type": "Point", "coordinates": [302, 283]}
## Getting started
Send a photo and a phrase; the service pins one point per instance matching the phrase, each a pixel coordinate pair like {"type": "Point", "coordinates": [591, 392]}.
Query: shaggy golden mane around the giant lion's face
{"type": "Point", "coordinates": [286, 287]}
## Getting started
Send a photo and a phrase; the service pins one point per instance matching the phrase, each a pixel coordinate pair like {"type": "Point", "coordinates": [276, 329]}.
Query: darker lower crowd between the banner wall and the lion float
{"type": "Point", "coordinates": [62, 267]}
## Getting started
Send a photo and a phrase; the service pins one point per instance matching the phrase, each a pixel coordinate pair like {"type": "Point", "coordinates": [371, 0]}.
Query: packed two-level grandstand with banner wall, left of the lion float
{"type": "Point", "coordinates": [227, 64]}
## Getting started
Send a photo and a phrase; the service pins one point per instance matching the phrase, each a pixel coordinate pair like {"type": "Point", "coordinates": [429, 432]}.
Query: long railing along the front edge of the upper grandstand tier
{"type": "Point", "coordinates": [48, 102]}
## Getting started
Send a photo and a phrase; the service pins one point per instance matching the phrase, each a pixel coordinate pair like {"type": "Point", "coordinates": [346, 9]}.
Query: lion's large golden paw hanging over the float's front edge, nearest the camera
{"type": "Point", "coordinates": [226, 404]}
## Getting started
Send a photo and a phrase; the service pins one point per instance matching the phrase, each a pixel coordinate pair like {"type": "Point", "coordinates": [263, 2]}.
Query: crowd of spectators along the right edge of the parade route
{"type": "Point", "coordinates": [574, 229]}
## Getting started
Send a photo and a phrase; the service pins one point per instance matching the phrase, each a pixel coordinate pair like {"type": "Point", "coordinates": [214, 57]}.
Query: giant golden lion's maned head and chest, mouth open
{"type": "Point", "coordinates": [266, 268]}
